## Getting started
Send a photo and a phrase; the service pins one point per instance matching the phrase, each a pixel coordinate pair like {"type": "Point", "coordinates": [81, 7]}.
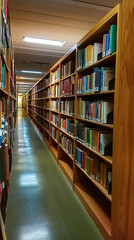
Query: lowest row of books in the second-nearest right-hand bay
{"type": "Point", "coordinates": [66, 143]}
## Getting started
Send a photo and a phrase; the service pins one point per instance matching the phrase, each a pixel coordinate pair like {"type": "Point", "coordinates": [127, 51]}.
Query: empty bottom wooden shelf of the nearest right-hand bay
{"type": "Point", "coordinates": [102, 221]}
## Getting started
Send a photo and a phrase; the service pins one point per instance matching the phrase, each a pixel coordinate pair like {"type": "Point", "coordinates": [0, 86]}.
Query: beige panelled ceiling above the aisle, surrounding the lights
{"type": "Point", "coordinates": [64, 20]}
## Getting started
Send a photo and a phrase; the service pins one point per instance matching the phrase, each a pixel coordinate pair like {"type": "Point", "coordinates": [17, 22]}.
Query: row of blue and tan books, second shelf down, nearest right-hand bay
{"type": "Point", "coordinates": [102, 79]}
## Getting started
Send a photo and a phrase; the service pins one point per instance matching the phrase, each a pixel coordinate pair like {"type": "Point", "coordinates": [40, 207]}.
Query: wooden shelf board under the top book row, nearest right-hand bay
{"type": "Point", "coordinates": [107, 59]}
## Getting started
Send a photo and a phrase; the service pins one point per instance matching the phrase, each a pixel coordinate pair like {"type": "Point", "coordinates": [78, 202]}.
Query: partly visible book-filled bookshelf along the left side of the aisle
{"type": "Point", "coordinates": [7, 110]}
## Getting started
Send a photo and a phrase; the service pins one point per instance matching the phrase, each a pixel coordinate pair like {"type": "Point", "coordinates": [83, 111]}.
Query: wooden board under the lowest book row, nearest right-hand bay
{"type": "Point", "coordinates": [98, 185]}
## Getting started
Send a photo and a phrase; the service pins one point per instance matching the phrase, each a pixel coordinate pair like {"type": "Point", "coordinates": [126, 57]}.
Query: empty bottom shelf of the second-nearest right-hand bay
{"type": "Point", "coordinates": [68, 171]}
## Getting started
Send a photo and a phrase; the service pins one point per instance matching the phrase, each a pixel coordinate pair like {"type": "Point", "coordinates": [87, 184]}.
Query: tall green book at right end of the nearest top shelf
{"type": "Point", "coordinates": [113, 34]}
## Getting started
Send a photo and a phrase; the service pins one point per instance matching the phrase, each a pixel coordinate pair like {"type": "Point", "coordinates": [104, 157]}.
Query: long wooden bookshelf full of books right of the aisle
{"type": "Point", "coordinates": [76, 119]}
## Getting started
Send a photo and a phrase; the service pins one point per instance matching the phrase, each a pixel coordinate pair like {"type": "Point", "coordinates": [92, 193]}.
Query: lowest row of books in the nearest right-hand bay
{"type": "Point", "coordinates": [95, 168]}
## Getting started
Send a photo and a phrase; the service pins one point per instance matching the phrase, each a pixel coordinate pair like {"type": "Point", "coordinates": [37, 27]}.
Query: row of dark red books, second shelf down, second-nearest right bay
{"type": "Point", "coordinates": [67, 86]}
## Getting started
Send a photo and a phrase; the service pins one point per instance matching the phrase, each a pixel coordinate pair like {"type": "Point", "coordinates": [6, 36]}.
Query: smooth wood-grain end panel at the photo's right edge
{"type": "Point", "coordinates": [123, 167]}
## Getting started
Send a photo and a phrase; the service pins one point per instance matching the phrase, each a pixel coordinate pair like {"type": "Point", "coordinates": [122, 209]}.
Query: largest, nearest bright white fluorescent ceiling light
{"type": "Point", "coordinates": [44, 41]}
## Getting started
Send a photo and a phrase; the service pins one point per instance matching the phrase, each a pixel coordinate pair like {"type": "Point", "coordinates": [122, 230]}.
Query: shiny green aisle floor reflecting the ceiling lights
{"type": "Point", "coordinates": [42, 204]}
